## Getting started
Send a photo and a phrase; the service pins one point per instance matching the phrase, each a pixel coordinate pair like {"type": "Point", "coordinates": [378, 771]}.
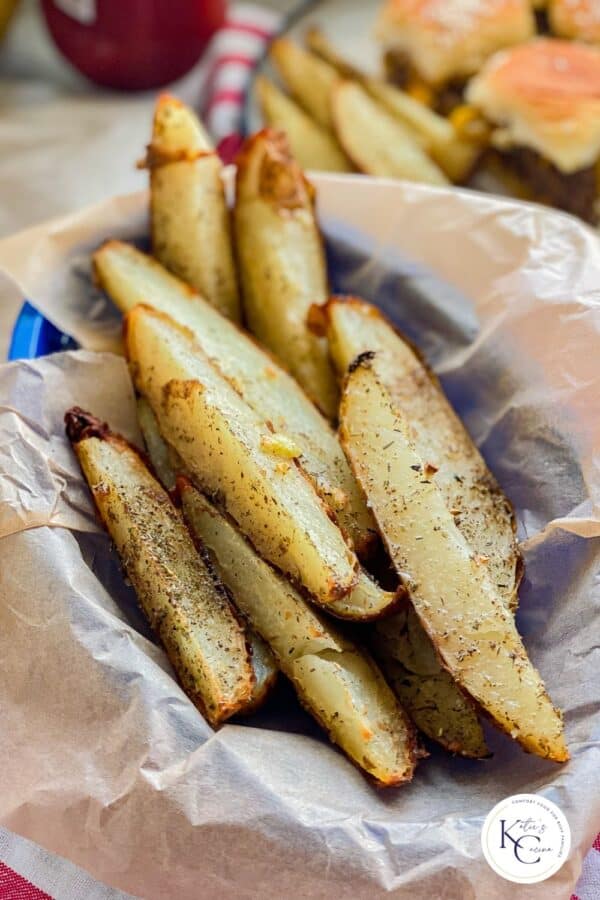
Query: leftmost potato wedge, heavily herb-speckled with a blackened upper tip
{"type": "Point", "coordinates": [185, 604]}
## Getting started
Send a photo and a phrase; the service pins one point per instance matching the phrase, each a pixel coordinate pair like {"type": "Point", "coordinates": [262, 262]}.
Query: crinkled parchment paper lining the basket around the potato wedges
{"type": "Point", "coordinates": [104, 759]}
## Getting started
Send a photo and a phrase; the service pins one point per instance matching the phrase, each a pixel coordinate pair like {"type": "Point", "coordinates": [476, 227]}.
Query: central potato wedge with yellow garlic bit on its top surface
{"type": "Point", "coordinates": [230, 451]}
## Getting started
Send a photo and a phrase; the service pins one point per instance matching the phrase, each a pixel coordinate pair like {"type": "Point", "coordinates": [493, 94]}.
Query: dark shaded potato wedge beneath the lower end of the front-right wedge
{"type": "Point", "coordinates": [424, 688]}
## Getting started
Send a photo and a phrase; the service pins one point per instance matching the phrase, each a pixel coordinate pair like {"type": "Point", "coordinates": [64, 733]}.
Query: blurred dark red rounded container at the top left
{"type": "Point", "coordinates": [133, 45]}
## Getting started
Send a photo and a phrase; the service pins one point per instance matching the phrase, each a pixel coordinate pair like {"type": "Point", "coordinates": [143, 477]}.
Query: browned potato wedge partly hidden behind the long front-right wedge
{"type": "Point", "coordinates": [481, 511]}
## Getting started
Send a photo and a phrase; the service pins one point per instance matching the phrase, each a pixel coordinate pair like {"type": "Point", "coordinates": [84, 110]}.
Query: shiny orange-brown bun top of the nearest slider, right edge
{"type": "Point", "coordinates": [545, 95]}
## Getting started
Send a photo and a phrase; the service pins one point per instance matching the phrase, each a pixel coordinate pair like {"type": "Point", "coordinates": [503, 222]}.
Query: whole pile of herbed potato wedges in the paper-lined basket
{"type": "Point", "coordinates": [308, 502]}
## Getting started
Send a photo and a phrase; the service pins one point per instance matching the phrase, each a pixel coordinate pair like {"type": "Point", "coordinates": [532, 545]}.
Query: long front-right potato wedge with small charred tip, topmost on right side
{"type": "Point", "coordinates": [474, 634]}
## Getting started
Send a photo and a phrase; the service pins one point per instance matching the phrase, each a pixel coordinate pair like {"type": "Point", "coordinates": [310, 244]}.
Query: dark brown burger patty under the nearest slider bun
{"type": "Point", "coordinates": [575, 193]}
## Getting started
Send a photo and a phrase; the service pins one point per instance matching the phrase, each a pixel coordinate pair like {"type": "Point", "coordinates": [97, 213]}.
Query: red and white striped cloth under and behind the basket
{"type": "Point", "coordinates": [27, 872]}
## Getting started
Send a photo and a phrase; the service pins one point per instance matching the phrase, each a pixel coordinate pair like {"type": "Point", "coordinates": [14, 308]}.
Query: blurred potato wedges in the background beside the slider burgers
{"type": "Point", "coordinates": [339, 119]}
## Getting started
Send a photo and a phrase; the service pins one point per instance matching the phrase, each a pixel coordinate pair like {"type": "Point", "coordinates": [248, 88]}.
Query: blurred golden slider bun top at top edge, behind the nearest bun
{"type": "Point", "coordinates": [446, 39]}
